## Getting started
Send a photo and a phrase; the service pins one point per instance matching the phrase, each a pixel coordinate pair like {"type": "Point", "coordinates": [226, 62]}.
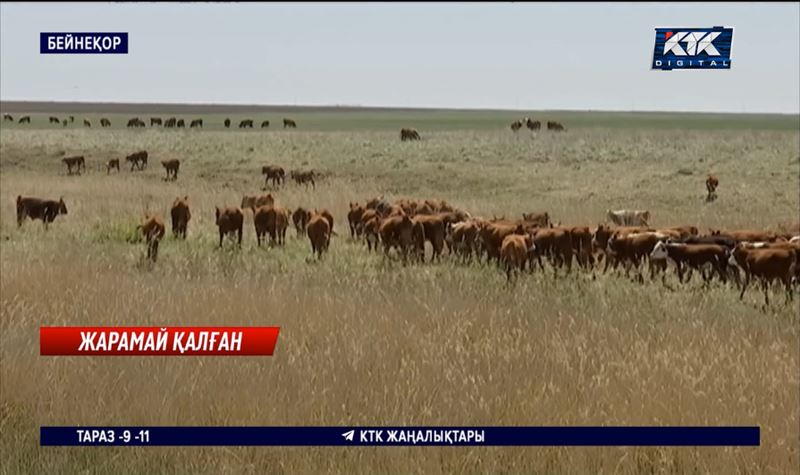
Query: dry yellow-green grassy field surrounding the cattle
{"type": "Point", "coordinates": [367, 341]}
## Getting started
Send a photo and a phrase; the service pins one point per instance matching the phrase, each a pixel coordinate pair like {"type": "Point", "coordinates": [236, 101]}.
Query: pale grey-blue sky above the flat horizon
{"type": "Point", "coordinates": [471, 55]}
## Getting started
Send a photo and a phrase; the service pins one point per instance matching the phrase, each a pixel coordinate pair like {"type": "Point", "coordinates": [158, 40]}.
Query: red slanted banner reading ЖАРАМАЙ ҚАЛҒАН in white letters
{"type": "Point", "coordinates": [157, 341]}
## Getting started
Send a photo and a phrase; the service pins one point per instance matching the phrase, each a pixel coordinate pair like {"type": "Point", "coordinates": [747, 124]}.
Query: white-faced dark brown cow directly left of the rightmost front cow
{"type": "Point", "coordinates": [695, 256]}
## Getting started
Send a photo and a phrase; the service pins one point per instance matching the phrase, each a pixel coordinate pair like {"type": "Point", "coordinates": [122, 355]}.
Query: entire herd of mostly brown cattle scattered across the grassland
{"type": "Point", "coordinates": [404, 228]}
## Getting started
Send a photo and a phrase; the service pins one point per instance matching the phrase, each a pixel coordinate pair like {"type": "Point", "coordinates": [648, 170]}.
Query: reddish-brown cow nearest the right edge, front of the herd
{"type": "Point", "coordinates": [768, 265]}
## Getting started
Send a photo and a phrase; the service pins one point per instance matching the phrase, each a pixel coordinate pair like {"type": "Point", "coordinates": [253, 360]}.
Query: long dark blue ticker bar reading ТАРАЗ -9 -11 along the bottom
{"type": "Point", "coordinates": [361, 436]}
